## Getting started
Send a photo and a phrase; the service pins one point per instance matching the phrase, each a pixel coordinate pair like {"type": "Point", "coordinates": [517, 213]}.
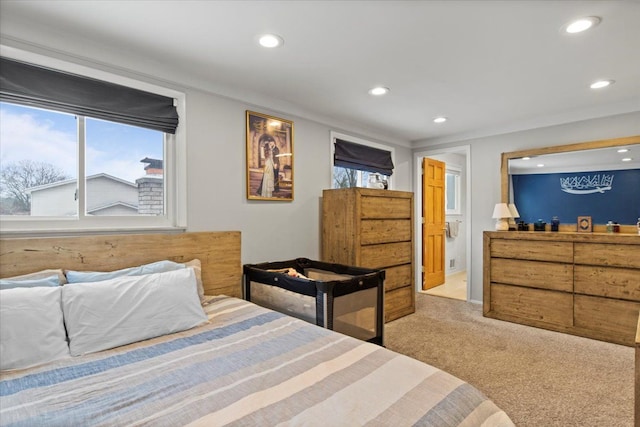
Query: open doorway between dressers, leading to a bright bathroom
{"type": "Point", "coordinates": [455, 230]}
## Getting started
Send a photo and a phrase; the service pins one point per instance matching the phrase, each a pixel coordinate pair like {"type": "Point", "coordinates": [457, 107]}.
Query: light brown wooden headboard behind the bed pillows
{"type": "Point", "coordinates": [218, 251]}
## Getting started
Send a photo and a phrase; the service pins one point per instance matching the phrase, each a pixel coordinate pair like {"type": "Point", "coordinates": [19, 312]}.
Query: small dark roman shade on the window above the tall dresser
{"type": "Point", "coordinates": [356, 156]}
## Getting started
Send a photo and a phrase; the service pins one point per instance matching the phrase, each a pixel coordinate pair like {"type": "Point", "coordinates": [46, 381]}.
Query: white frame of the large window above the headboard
{"type": "Point", "coordinates": [175, 166]}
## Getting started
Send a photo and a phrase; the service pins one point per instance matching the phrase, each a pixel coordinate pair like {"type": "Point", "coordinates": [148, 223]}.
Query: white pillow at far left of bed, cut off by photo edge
{"type": "Point", "coordinates": [31, 327]}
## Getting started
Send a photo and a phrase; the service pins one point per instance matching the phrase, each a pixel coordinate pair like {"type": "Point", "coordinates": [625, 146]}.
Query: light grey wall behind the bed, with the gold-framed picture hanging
{"type": "Point", "coordinates": [215, 134]}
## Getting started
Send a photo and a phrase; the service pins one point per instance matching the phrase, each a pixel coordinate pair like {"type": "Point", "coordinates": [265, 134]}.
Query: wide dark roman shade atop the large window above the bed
{"type": "Point", "coordinates": [32, 85]}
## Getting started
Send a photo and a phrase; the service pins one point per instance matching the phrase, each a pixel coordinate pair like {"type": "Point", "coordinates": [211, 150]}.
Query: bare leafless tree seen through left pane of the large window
{"type": "Point", "coordinates": [17, 177]}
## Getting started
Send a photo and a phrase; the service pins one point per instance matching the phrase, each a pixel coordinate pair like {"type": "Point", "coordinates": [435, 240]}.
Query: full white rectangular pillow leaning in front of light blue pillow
{"type": "Point", "coordinates": [111, 313]}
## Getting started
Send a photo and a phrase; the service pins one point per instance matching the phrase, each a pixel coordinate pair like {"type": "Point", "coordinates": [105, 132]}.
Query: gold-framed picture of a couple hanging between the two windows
{"type": "Point", "coordinates": [269, 157]}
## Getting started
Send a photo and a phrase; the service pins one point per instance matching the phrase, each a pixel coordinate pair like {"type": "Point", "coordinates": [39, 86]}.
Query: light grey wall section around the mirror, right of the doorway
{"type": "Point", "coordinates": [485, 168]}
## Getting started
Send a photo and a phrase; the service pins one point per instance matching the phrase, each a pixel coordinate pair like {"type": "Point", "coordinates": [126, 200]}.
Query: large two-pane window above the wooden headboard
{"type": "Point", "coordinates": [62, 170]}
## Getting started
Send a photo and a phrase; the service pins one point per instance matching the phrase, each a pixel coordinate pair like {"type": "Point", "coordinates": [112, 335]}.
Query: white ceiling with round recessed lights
{"type": "Point", "coordinates": [490, 66]}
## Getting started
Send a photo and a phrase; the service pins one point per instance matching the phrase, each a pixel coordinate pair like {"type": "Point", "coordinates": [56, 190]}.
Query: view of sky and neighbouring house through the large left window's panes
{"type": "Point", "coordinates": [39, 164]}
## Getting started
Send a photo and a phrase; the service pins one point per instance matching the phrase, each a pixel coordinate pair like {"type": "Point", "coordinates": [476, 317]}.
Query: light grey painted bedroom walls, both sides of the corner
{"type": "Point", "coordinates": [215, 128]}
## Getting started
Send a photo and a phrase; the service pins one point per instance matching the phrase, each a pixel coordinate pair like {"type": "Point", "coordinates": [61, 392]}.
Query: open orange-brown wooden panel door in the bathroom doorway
{"type": "Point", "coordinates": [433, 175]}
